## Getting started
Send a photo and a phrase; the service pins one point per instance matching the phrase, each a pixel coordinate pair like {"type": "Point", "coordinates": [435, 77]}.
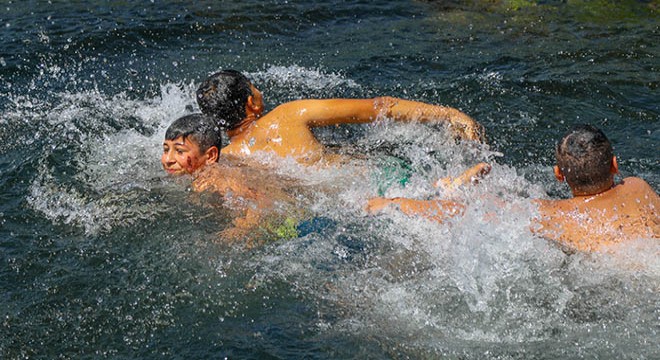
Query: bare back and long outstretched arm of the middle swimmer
{"type": "Point", "coordinates": [286, 130]}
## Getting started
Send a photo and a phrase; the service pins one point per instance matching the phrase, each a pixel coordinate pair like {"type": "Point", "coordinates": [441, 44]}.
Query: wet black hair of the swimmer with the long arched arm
{"type": "Point", "coordinates": [223, 96]}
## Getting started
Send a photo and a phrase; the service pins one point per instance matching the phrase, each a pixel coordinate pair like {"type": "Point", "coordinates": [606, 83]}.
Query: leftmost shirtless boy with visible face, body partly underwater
{"type": "Point", "coordinates": [192, 146]}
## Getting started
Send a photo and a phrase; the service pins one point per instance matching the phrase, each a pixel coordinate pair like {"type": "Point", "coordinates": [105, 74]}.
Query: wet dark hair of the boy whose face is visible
{"type": "Point", "coordinates": [199, 128]}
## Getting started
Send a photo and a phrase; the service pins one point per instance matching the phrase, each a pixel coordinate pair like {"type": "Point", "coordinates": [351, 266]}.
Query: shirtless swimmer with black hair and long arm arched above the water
{"type": "Point", "coordinates": [230, 98]}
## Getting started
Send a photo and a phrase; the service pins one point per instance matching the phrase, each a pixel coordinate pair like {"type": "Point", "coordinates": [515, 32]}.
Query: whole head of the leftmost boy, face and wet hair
{"type": "Point", "coordinates": [191, 142]}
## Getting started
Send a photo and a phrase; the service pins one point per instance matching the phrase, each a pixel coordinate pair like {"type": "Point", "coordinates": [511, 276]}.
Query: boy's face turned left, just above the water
{"type": "Point", "coordinates": [182, 156]}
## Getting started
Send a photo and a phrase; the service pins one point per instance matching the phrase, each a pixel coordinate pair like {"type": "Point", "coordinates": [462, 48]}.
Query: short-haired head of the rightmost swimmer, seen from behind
{"type": "Point", "coordinates": [585, 160]}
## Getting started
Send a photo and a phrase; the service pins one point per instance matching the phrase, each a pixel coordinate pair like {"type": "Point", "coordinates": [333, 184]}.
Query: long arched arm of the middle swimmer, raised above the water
{"type": "Point", "coordinates": [313, 113]}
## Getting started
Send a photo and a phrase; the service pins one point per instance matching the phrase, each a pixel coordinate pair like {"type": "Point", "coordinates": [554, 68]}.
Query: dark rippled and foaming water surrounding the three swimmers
{"type": "Point", "coordinates": [103, 256]}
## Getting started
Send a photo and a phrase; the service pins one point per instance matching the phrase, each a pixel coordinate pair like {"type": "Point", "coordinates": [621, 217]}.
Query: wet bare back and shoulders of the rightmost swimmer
{"type": "Point", "coordinates": [627, 211]}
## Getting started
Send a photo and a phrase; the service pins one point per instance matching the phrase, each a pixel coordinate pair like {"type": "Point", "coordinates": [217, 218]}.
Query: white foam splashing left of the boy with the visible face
{"type": "Point", "coordinates": [117, 166]}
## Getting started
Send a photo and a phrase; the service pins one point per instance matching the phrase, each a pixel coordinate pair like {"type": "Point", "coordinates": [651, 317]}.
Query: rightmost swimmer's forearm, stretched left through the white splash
{"type": "Point", "coordinates": [436, 210]}
